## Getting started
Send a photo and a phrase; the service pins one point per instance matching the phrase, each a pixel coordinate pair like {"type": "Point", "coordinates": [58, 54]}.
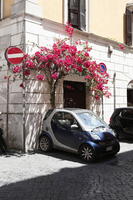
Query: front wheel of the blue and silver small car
{"type": "Point", "coordinates": [87, 153]}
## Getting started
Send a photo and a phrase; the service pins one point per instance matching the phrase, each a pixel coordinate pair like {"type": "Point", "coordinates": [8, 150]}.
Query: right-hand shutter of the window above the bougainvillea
{"type": "Point", "coordinates": [82, 15]}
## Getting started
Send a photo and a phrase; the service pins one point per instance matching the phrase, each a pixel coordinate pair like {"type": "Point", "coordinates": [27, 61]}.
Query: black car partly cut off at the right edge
{"type": "Point", "coordinates": [121, 122]}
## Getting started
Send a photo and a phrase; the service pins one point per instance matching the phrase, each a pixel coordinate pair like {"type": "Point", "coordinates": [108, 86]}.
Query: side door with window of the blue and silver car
{"type": "Point", "coordinates": [66, 129]}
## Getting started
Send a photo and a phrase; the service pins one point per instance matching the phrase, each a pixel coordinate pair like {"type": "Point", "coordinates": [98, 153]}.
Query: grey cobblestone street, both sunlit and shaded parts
{"type": "Point", "coordinates": [63, 176]}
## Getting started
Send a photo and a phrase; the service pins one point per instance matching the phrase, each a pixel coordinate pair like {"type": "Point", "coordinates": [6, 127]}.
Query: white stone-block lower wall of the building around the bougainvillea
{"type": "Point", "coordinates": [27, 29]}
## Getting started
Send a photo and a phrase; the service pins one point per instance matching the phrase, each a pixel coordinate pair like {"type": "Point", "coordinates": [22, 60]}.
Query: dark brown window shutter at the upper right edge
{"type": "Point", "coordinates": [128, 27]}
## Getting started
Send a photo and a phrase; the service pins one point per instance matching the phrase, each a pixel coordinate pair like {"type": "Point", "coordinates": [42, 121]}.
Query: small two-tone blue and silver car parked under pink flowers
{"type": "Point", "coordinates": [79, 131]}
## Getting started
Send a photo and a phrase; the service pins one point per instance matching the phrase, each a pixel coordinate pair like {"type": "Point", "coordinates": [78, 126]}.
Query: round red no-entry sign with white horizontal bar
{"type": "Point", "coordinates": [14, 55]}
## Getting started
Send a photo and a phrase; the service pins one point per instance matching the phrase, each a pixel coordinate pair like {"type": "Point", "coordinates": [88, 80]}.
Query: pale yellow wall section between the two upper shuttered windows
{"type": "Point", "coordinates": [107, 18]}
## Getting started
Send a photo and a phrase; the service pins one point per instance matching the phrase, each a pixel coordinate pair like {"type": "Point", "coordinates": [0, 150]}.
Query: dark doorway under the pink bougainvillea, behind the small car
{"type": "Point", "coordinates": [74, 94]}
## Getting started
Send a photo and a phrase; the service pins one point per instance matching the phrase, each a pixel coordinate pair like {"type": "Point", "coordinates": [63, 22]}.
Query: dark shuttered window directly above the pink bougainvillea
{"type": "Point", "coordinates": [77, 13]}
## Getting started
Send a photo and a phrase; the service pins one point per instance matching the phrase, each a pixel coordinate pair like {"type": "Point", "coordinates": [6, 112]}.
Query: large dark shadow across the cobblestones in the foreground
{"type": "Point", "coordinates": [108, 180]}
